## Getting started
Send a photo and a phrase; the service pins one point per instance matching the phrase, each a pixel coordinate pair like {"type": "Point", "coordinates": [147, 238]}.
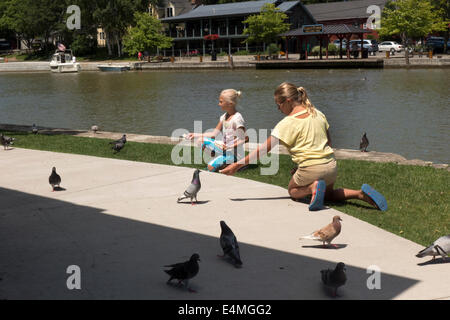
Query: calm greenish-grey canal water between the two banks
{"type": "Point", "coordinates": [403, 111]}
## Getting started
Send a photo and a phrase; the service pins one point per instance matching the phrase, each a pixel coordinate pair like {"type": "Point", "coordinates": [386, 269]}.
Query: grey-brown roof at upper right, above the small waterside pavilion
{"type": "Point", "coordinates": [343, 10]}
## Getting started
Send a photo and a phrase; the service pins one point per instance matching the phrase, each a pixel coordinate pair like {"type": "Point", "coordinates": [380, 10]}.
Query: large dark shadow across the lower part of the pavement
{"type": "Point", "coordinates": [121, 258]}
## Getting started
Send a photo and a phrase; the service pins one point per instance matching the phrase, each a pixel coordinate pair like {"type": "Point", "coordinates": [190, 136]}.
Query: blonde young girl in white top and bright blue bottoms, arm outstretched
{"type": "Point", "coordinates": [232, 126]}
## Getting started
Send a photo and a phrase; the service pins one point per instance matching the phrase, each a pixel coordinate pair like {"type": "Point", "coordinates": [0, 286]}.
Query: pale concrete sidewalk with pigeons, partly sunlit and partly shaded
{"type": "Point", "coordinates": [120, 223]}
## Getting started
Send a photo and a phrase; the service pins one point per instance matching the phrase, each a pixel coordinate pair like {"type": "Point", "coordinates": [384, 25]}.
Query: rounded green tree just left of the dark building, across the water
{"type": "Point", "coordinates": [146, 35]}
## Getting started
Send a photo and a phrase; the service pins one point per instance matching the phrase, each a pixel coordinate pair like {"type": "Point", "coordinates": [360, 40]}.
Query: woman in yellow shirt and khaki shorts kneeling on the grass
{"type": "Point", "coordinates": [304, 131]}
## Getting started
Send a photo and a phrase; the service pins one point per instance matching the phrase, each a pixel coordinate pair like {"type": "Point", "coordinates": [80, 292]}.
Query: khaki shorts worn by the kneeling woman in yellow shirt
{"type": "Point", "coordinates": [306, 175]}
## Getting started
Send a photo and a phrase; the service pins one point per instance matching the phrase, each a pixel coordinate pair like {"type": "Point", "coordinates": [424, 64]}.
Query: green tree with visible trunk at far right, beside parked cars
{"type": "Point", "coordinates": [410, 18]}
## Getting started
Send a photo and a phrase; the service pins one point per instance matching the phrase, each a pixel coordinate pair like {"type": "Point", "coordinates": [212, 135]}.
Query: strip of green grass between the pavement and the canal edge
{"type": "Point", "coordinates": [418, 197]}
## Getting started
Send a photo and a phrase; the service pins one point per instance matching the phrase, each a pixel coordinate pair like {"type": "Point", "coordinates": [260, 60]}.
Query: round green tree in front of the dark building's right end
{"type": "Point", "coordinates": [265, 26]}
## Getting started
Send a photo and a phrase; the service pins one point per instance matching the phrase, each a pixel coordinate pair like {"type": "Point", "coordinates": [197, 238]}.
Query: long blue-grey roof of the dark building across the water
{"type": "Point", "coordinates": [229, 9]}
